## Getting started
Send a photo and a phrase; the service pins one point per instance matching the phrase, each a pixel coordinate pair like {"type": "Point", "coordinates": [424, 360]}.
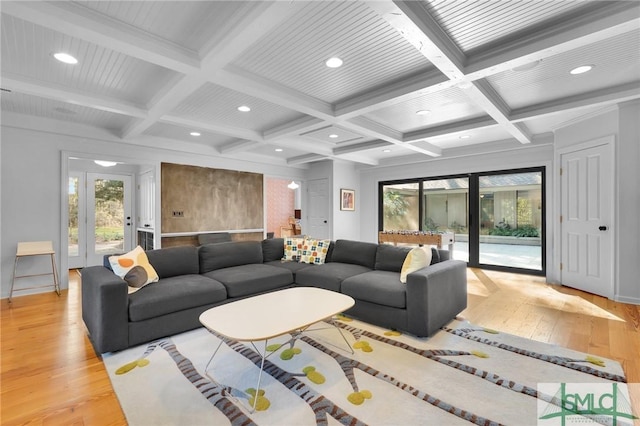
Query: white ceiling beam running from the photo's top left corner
{"type": "Point", "coordinates": [85, 24]}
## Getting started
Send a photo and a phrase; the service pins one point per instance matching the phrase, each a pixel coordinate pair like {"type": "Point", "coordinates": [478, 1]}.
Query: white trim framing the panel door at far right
{"type": "Point", "coordinates": [608, 141]}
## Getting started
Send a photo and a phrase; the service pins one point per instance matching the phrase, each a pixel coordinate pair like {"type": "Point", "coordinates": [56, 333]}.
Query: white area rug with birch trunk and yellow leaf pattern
{"type": "Point", "coordinates": [462, 374]}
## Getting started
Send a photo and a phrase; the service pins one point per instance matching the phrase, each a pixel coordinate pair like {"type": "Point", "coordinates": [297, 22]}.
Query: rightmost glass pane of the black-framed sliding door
{"type": "Point", "coordinates": [511, 220]}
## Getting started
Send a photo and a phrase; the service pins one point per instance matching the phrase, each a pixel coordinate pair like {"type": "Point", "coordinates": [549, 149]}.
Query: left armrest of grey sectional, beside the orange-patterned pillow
{"type": "Point", "coordinates": [105, 309]}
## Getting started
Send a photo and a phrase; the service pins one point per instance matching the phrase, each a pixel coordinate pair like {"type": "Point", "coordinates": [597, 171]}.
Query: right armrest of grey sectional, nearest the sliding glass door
{"type": "Point", "coordinates": [435, 295]}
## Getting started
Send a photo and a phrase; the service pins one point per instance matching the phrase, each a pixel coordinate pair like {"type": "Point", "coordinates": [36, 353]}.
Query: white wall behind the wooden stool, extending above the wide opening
{"type": "Point", "coordinates": [32, 184]}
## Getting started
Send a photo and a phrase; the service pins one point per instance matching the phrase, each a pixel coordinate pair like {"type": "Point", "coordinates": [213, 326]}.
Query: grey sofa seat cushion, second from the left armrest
{"type": "Point", "coordinates": [251, 279]}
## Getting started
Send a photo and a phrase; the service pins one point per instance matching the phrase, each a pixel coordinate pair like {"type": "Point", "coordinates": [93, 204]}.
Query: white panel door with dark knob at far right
{"type": "Point", "coordinates": [587, 213]}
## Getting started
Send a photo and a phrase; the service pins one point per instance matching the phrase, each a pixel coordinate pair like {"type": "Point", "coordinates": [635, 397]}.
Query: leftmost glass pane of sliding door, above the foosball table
{"type": "Point", "coordinates": [400, 207]}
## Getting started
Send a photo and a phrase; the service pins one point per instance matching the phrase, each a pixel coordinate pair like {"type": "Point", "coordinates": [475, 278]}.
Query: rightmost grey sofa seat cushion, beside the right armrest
{"type": "Point", "coordinates": [380, 287]}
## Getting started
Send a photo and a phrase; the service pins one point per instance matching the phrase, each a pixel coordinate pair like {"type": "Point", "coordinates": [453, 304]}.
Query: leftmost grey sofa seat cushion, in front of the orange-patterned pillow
{"type": "Point", "coordinates": [174, 294]}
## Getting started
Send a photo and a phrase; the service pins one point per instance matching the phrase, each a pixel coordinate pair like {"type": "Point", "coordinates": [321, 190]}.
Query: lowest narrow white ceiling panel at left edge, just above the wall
{"type": "Point", "coordinates": [40, 107]}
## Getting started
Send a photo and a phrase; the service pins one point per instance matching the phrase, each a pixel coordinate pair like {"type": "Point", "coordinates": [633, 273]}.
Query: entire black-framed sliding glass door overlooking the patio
{"type": "Point", "coordinates": [497, 218]}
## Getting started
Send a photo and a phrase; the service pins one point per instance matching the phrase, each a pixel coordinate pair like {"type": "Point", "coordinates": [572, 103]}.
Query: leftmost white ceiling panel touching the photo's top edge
{"type": "Point", "coordinates": [189, 24]}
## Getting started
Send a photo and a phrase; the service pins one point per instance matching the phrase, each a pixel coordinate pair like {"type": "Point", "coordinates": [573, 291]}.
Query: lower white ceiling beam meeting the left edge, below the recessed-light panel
{"type": "Point", "coordinates": [57, 92]}
